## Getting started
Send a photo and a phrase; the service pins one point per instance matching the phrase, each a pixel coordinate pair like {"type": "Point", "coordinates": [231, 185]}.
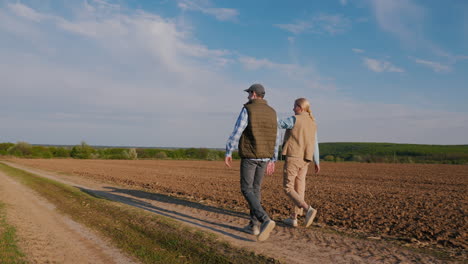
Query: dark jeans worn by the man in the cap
{"type": "Point", "coordinates": [252, 173]}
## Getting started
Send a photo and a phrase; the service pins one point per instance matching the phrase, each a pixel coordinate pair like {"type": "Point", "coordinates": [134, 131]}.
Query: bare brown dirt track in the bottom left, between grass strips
{"type": "Point", "coordinates": [45, 236]}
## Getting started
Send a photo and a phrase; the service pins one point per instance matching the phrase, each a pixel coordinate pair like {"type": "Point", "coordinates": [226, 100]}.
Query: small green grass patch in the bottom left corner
{"type": "Point", "coordinates": [9, 251]}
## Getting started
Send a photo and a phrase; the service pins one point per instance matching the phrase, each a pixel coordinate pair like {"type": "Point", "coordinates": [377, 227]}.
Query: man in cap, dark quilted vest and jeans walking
{"type": "Point", "coordinates": [256, 135]}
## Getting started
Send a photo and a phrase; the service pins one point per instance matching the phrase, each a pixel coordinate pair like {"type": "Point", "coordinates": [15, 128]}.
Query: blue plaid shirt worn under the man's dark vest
{"type": "Point", "coordinates": [241, 124]}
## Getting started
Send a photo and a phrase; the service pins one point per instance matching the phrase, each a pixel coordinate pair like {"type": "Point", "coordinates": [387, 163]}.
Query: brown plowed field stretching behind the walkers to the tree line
{"type": "Point", "coordinates": [423, 205]}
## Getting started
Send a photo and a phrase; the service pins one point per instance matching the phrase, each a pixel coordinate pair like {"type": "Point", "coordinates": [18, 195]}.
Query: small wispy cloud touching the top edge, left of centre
{"type": "Point", "coordinates": [222, 14]}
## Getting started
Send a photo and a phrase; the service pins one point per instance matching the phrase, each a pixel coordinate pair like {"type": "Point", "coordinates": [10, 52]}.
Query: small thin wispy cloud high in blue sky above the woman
{"type": "Point", "coordinates": [331, 24]}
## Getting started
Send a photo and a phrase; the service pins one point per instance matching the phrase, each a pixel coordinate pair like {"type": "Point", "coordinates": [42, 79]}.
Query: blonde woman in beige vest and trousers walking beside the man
{"type": "Point", "coordinates": [300, 147]}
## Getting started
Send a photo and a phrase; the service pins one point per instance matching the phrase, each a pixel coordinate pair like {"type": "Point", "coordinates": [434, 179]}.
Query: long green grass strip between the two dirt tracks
{"type": "Point", "coordinates": [148, 237]}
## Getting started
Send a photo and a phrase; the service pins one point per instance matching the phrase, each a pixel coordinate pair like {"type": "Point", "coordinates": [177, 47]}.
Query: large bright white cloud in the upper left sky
{"type": "Point", "coordinates": [160, 38]}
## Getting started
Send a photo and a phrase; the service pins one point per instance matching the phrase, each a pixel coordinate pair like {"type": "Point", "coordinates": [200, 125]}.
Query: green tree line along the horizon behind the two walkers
{"type": "Point", "coordinates": [334, 152]}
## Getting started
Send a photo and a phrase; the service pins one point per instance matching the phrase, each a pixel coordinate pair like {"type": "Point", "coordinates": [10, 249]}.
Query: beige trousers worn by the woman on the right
{"type": "Point", "coordinates": [294, 174]}
